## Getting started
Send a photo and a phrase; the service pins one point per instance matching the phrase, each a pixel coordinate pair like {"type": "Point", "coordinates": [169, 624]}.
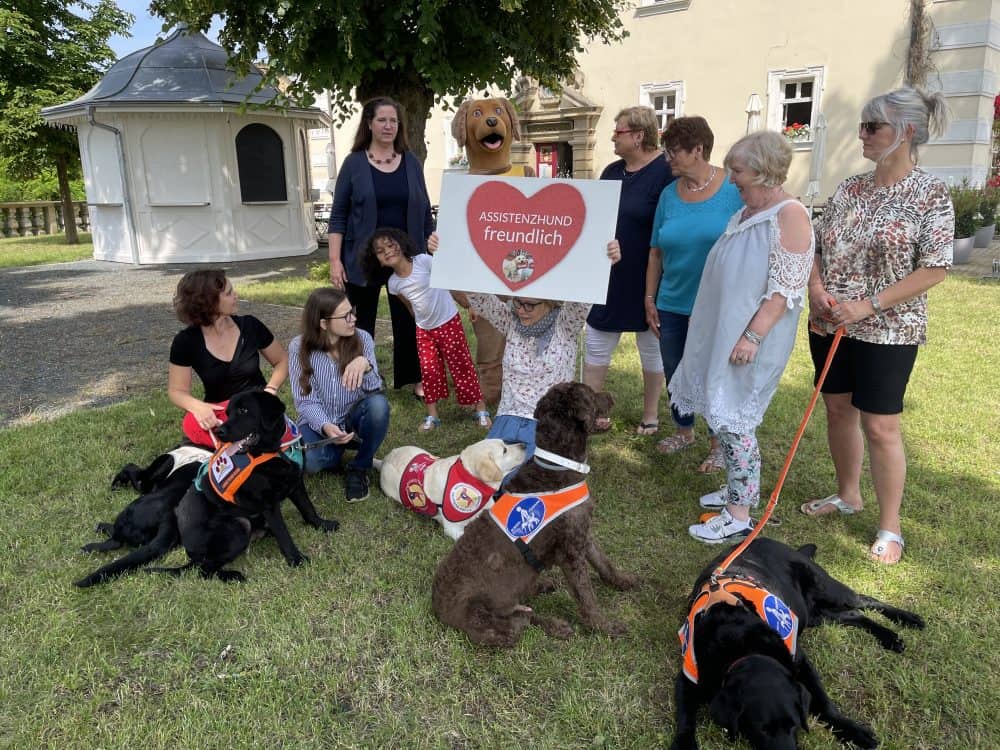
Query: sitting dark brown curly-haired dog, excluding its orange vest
{"type": "Point", "coordinates": [480, 586]}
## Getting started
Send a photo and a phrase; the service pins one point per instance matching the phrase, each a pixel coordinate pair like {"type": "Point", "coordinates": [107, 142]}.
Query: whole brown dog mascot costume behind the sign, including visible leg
{"type": "Point", "coordinates": [487, 128]}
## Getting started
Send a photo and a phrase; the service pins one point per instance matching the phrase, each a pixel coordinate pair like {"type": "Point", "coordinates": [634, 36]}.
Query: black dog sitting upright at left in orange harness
{"type": "Point", "coordinates": [241, 491]}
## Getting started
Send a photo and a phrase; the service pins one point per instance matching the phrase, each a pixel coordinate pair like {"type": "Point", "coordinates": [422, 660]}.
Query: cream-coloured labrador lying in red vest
{"type": "Point", "coordinates": [451, 490]}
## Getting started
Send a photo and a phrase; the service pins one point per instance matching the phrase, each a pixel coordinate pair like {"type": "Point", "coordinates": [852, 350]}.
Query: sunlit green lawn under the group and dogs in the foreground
{"type": "Point", "coordinates": [346, 653]}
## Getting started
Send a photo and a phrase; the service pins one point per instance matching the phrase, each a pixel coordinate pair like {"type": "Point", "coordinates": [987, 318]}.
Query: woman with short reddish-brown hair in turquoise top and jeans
{"type": "Point", "coordinates": [691, 215]}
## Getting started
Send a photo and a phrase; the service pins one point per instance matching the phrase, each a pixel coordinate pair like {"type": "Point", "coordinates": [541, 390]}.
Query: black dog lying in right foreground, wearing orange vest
{"type": "Point", "coordinates": [740, 651]}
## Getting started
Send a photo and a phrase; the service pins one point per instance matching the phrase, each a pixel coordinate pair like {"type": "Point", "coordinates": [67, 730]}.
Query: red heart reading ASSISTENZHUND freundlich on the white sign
{"type": "Point", "coordinates": [521, 239]}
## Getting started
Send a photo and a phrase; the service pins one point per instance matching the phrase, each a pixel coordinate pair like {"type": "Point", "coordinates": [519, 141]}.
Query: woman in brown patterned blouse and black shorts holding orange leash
{"type": "Point", "coordinates": [884, 239]}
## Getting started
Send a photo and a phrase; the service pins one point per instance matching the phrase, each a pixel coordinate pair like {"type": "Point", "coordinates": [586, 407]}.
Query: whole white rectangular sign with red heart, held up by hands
{"type": "Point", "coordinates": [527, 236]}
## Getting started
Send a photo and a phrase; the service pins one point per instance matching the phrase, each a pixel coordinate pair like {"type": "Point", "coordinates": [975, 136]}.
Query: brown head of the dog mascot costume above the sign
{"type": "Point", "coordinates": [486, 128]}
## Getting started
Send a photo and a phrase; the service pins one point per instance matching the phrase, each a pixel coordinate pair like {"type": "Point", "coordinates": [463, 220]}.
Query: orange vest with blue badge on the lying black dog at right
{"type": "Point", "coordinates": [737, 592]}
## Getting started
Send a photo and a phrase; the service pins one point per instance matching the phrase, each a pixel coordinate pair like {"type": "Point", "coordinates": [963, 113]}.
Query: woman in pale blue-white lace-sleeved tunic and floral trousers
{"type": "Point", "coordinates": [743, 324]}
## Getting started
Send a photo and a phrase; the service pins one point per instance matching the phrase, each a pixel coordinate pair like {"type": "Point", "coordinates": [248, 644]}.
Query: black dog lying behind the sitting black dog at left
{"type": "Point", "coordinates": [147, 523]}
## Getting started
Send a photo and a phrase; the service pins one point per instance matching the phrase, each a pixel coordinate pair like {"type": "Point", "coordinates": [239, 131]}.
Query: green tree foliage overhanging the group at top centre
{"type": "Point", "coordinates": [417, 51]}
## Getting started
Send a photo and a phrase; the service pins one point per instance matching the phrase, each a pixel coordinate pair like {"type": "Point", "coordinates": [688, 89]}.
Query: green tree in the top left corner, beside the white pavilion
{"type": "Point", "coordinates": [51, 51]}
